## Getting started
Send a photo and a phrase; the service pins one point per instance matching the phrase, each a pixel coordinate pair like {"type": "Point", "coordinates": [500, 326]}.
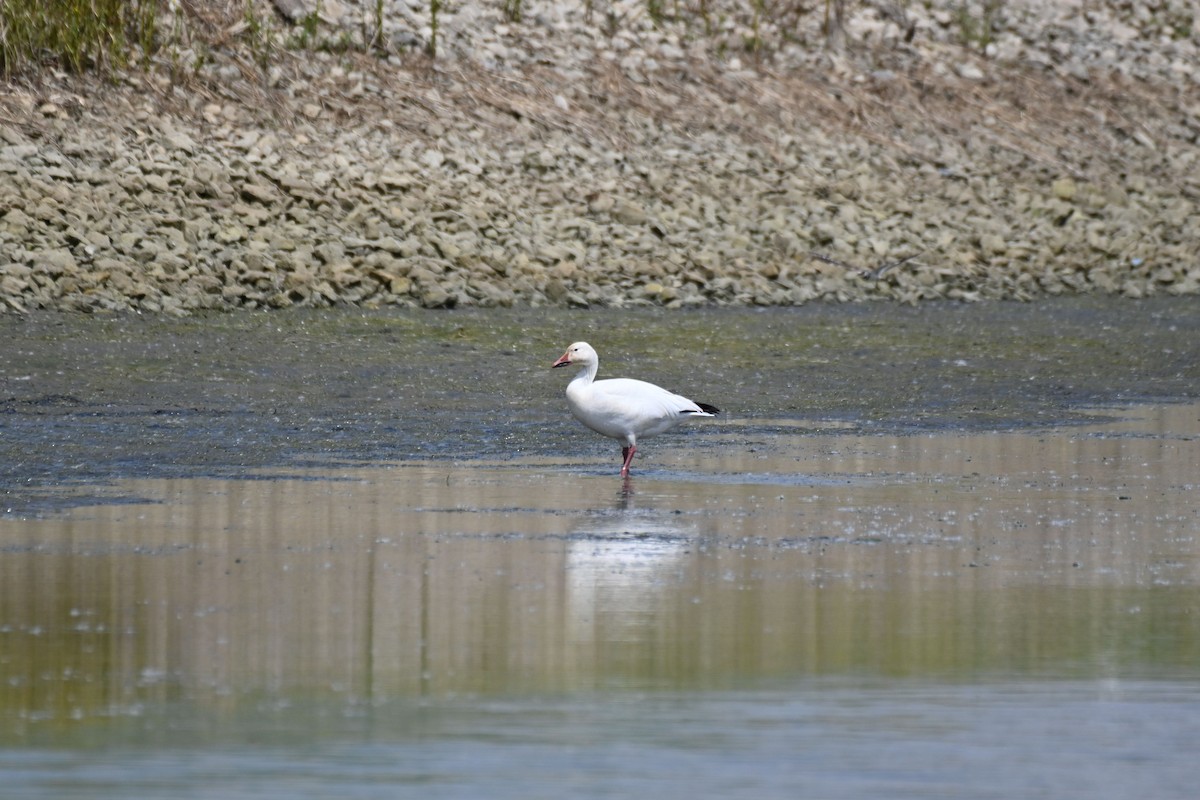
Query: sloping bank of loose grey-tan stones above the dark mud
{"type": "Point", "coordinates": [611, 154]}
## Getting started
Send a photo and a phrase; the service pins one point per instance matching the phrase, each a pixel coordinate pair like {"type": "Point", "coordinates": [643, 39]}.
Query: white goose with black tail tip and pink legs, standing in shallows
{"type": "Point", "coordinates": [623, 408]}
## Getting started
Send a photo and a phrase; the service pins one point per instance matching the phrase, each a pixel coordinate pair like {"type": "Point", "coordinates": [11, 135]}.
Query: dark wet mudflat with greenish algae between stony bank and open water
{"type": "Point", "coordinates": [88, 400]}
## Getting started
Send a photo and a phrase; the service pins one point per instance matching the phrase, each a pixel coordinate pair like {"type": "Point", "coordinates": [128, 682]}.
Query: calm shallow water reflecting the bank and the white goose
{"type": "Point", "coordinates": [764, 610]}
